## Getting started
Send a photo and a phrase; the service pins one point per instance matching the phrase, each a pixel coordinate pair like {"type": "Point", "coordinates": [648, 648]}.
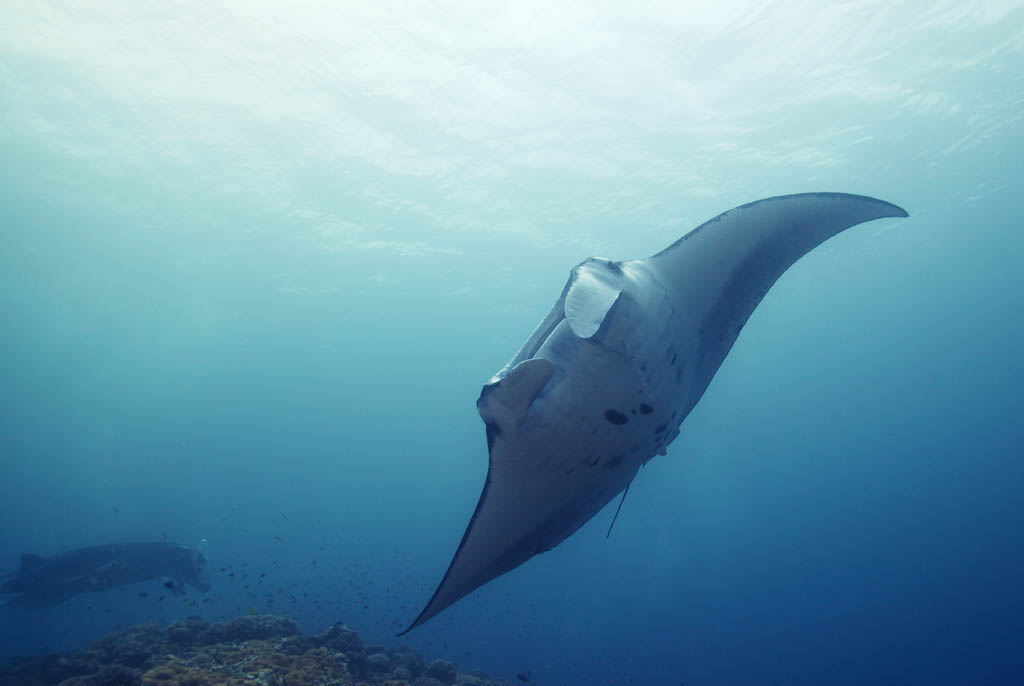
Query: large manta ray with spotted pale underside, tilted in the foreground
{"type": "Point", "coordinates": [606, 380]}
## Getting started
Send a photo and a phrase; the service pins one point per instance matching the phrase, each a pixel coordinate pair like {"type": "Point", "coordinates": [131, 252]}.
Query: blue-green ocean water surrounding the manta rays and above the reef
{"type": "Point", "coordinates": [258, 260]}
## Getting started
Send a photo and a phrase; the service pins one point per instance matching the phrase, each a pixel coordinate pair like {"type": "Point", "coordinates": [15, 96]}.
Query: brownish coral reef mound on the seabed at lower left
{"type": "Point", "coordinates": [252, 651]}
